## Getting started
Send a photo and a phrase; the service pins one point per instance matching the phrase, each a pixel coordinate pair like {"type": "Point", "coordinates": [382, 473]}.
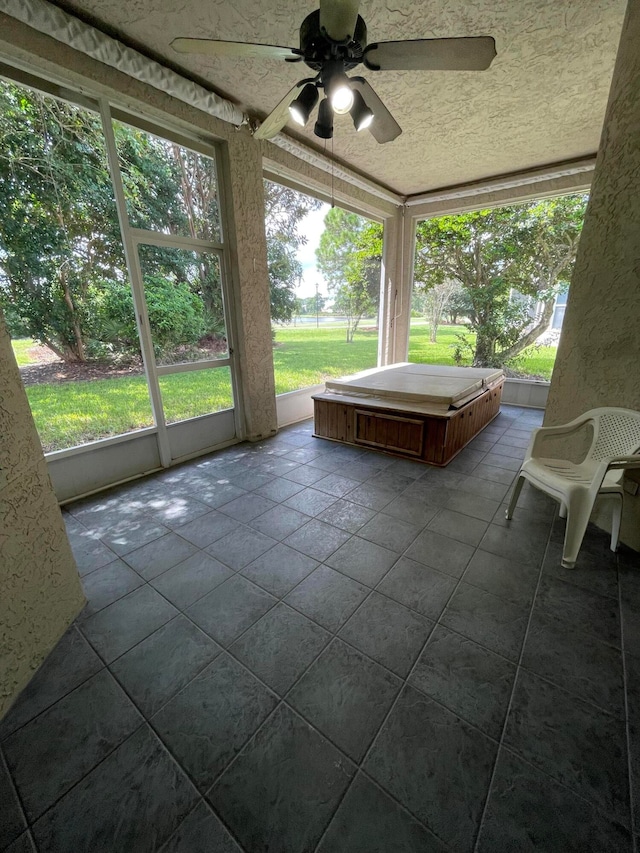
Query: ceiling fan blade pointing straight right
{"type": "Point", "coordinates": [463, 54]}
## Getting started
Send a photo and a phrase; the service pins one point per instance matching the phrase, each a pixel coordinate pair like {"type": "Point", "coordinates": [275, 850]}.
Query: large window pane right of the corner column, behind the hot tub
{"type": "Point", "coordinates": [490, 286]}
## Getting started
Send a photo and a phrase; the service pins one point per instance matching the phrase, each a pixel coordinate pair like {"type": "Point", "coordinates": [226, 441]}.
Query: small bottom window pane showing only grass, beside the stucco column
{"type": "Point", "coordinates": [196, 392]}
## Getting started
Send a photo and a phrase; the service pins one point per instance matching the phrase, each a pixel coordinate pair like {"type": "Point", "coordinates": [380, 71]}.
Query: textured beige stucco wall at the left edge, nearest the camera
{"type": "Point", "coordinates": [40, 592]}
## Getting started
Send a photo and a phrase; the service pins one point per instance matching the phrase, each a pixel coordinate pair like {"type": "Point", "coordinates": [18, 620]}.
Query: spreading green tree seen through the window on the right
{"type": "Point", "coordinates": [497, 254]}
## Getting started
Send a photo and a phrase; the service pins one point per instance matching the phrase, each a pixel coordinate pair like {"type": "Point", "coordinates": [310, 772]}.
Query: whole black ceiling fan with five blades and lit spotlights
{"type": "Point", "coordinates": [333, 40]}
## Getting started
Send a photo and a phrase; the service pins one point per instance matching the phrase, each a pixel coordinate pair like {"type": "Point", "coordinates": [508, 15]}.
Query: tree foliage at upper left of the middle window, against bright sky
{"type": "Point", "coordinates": [285, 209]}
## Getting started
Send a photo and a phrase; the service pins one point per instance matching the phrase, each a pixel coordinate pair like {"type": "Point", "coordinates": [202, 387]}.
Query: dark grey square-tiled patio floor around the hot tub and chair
{"type": "Point", "coordinates": [299, 646]}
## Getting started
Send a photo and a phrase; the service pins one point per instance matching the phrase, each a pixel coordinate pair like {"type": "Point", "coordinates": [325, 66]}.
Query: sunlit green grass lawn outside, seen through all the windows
{"type": "Point", "coordinates": [71, 413]}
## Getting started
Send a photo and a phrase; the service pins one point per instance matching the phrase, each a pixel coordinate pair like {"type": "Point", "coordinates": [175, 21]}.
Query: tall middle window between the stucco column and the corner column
{"type": "Point", "coordinates": [324, 270]}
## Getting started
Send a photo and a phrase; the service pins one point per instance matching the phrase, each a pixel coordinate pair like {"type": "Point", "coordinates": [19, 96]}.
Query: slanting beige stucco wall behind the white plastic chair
{"type": "Point", "coordinates": [598, 362]}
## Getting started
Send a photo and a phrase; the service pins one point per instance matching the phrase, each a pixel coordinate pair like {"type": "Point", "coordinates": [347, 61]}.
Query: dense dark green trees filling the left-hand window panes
{"type": "Point", "coordinates": [61, 254]}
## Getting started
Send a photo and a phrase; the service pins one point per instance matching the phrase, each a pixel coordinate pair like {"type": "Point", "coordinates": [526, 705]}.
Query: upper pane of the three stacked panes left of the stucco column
{"type": "Point", "coordinates": [168, 188]}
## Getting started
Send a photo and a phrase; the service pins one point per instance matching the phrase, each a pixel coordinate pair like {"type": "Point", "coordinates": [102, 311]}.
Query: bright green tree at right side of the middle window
{"type": "Point", "coordinates": [349, 257]}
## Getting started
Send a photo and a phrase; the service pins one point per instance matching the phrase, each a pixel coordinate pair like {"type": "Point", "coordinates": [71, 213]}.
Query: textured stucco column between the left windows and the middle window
{"type": "Point", "coordinates": [251, 286]}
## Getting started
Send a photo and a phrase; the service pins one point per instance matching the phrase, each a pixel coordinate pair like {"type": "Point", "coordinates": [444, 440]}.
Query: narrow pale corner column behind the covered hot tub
{"type": "Point", "coordinates": [395, 305]}
